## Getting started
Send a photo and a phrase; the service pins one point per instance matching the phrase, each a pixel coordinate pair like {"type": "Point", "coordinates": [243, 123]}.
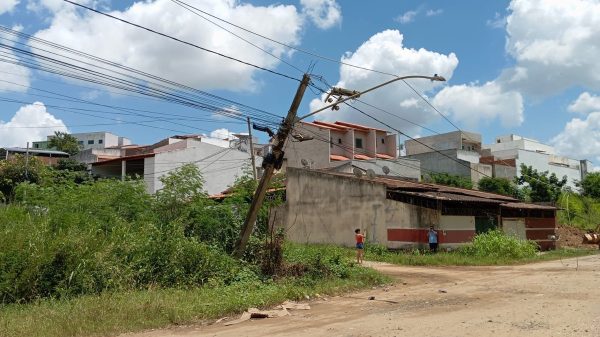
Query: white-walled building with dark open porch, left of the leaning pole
{"type": "Point", "coordinates": [220, 166]}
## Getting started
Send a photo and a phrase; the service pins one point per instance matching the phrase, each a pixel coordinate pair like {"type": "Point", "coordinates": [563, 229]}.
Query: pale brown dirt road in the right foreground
{"type": "Point", "coordinates": [558, 298]}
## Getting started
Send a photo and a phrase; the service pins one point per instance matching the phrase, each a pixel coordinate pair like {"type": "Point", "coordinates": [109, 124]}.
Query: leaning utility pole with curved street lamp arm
{"type": "Point", "coordinates": [272, 161]}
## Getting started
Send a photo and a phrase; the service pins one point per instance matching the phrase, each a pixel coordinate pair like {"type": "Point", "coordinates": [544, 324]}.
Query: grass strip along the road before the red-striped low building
{"type": "Point", "coordinates": [457, 259]}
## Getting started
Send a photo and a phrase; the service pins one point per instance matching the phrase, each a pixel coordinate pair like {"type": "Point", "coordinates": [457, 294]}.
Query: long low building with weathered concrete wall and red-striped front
{"type": "Point", "coordinates": [325, 207]}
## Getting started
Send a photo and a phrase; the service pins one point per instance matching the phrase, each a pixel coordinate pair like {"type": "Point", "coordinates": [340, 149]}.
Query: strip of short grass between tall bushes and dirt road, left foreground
{"type": "Point", "coordinates": [110, 314]}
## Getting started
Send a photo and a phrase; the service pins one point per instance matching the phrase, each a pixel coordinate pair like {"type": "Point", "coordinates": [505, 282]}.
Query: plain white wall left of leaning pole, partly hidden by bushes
{"type": "Point", "coordinates": [219, 166]}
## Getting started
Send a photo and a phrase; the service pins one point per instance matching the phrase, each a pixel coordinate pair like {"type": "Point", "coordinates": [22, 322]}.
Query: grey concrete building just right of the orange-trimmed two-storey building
{"type": "Point", "coordinates": [456, 153]}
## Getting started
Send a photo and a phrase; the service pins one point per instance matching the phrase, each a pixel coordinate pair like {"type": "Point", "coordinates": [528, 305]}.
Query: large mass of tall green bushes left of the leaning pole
{"type": "Point", "coordinates": [85, 239]}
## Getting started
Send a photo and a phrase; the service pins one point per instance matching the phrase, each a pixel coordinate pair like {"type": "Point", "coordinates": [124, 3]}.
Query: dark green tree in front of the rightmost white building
{"type": "Point", "coordinates": [544, 187]}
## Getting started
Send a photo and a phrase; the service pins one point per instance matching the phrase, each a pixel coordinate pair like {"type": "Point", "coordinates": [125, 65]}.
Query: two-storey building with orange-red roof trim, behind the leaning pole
{"type": "Point", "coordinates": [343, 146]}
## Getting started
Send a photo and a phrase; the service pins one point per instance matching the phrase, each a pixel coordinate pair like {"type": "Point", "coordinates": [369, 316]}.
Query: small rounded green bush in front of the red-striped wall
{"type": "Point", "coordinates": [497, 244]}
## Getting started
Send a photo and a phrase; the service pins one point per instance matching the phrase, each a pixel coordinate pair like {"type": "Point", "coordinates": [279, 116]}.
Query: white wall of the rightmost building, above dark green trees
{"type": "Point", "coordinates": [543, 162]}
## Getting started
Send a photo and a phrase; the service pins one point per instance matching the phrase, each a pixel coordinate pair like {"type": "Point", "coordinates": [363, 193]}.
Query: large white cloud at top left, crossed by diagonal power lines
{"type": "Point", "coordinates": [136, 48]}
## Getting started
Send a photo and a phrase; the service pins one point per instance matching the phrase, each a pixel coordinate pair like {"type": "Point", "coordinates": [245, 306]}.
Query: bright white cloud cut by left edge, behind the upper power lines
{"type": "Point", "coordinates": [13, 77]}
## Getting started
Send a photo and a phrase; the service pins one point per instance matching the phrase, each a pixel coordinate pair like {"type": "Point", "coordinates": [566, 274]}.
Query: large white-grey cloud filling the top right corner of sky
{"type": "Point", "coordinates": [555, 44]}
